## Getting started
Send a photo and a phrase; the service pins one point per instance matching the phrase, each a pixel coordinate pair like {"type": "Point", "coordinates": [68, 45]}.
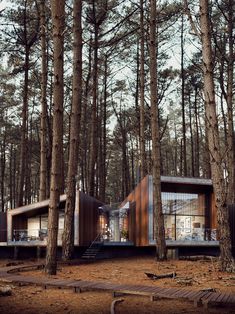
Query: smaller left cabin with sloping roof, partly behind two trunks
{"type": "Point", "coordinates": [27, 225]}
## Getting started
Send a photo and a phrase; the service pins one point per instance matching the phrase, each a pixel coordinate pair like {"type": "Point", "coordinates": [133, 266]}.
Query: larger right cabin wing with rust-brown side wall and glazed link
{"type": "Point", "coordinates": [188, 208]}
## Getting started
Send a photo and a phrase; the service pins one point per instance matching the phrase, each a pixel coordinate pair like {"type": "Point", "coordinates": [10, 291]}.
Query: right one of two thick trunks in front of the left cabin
{"type": "Point", "coordinates": [68, 235]}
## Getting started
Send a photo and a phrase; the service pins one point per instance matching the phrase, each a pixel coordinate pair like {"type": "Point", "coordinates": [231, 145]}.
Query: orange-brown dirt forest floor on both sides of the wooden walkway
{"type": "Point", "coordinates": [191, 274]}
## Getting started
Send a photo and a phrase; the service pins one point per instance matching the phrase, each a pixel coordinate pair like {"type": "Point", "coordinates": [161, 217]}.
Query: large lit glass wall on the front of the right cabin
{"type": "Point", "coordinates": [184, 216]}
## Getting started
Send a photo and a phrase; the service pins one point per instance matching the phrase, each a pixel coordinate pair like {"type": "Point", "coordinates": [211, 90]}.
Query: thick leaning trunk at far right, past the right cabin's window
{"type": "Point", "coordinates": [216, 159]}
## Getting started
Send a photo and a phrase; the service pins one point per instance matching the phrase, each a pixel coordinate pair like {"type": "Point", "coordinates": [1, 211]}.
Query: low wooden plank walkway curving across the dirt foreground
{"type": "Point", "coordinates": [199, 298]}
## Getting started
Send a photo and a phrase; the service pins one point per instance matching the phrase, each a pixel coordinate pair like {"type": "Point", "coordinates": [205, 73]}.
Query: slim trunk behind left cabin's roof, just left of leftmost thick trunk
{"type": "Point", "coordinates": [43, 120]}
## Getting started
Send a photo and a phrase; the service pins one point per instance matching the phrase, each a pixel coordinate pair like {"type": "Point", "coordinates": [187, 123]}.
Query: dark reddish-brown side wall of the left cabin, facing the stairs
{"type": "Point", "coordinates": [88, 219]}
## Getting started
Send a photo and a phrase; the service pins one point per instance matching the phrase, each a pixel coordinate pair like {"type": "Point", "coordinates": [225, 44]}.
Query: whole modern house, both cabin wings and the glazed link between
{"type": "Point", "coordinates": [189, 218]}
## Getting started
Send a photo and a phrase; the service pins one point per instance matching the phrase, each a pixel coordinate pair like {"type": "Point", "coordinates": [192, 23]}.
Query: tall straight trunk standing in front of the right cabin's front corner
{"type": "Point", "coordinates": [156, 158]}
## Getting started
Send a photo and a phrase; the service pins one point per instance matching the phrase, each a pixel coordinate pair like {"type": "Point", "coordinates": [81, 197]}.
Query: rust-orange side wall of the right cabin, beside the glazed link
{"type": "Point", "coordinates": [138, 229]}
